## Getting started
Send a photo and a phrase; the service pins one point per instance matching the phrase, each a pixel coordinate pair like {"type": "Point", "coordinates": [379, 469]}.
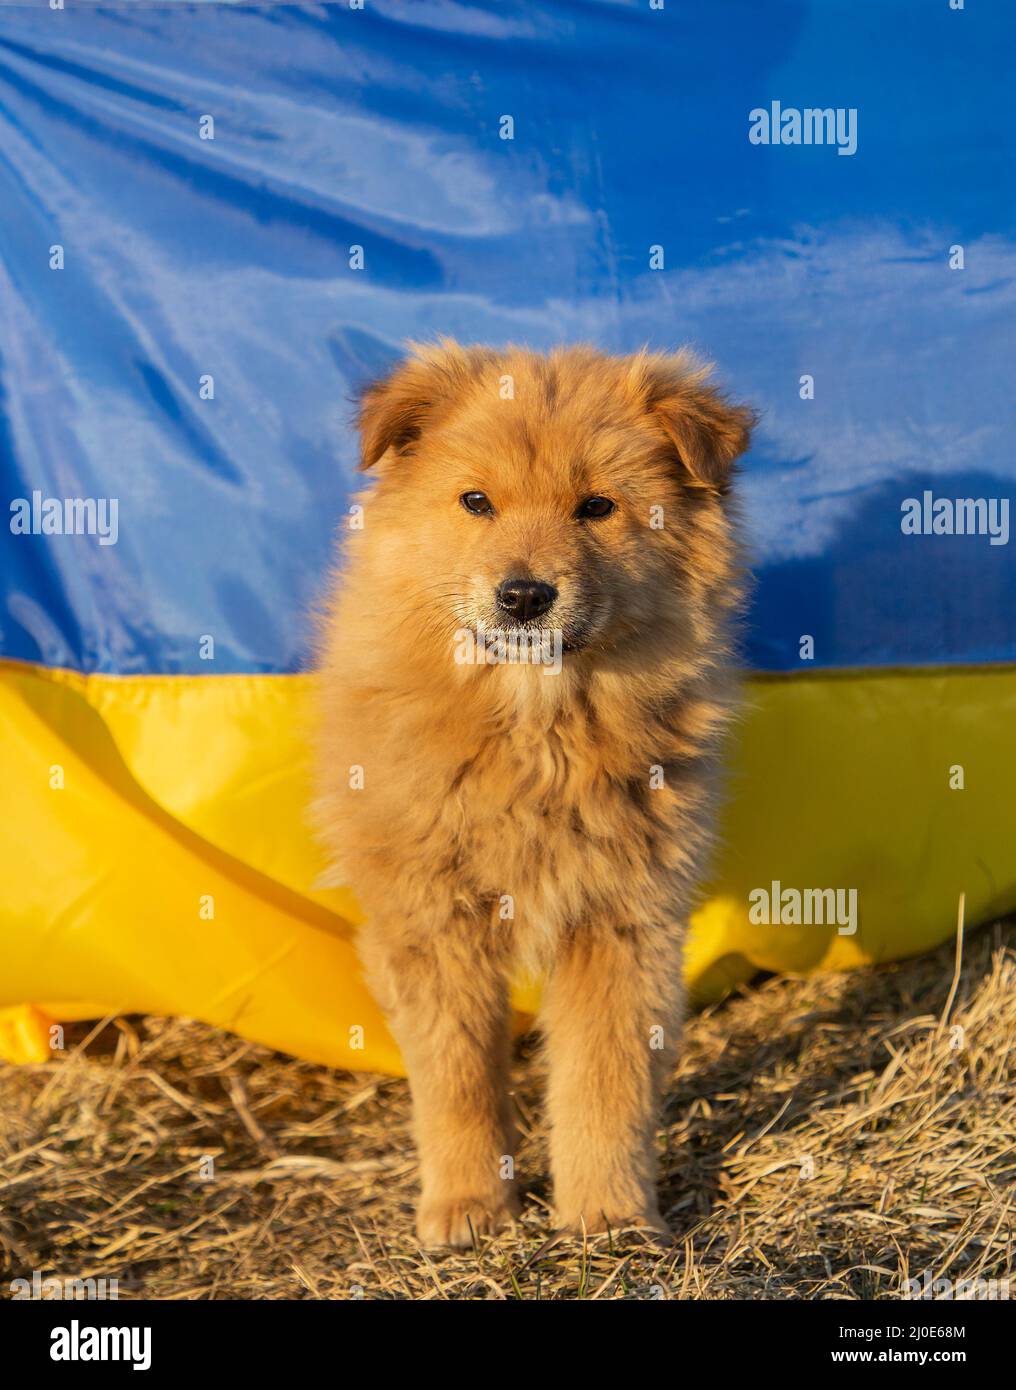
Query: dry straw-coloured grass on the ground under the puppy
{"type": "Point", "coordinates": [906, 1125]}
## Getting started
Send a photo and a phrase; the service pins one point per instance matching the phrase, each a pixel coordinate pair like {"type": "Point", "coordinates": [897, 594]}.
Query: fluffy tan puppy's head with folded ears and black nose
{"type": "Point", "coordinates": [576, 493]}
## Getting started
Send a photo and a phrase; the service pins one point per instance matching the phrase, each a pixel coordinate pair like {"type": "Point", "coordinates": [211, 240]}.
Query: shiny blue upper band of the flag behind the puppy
{"type": "Point", "coordinates": [380, 129]}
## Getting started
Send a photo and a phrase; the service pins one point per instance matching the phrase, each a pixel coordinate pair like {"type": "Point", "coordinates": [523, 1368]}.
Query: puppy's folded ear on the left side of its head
{"type": "Point", "coordinates": [395, 411]}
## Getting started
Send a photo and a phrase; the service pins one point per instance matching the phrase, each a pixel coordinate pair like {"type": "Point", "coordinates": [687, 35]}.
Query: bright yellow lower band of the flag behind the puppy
{"type": "Point", "coordinates": [134, 808]}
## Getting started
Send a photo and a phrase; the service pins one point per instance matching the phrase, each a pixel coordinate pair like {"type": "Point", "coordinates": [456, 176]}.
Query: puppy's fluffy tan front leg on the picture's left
{"type": "Point", "coordinates": [445, 996]}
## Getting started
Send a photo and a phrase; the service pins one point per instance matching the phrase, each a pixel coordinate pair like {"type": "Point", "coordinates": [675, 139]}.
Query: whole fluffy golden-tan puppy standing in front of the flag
{"type": "Point", "coordinates": [526, 678]}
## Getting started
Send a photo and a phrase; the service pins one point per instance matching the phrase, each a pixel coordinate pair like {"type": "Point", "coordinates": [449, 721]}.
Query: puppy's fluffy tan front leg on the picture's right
{"type": "Point", "coordinates": [611, 1018]}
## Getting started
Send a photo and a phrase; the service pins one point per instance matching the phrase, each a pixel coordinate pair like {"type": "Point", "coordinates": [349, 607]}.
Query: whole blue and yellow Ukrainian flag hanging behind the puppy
{"type": "Point", "coordinates": [219, 222]}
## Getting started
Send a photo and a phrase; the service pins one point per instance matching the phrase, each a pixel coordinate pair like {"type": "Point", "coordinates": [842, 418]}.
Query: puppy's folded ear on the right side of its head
{"type": "Point", "coordinates": [707, 430]}
